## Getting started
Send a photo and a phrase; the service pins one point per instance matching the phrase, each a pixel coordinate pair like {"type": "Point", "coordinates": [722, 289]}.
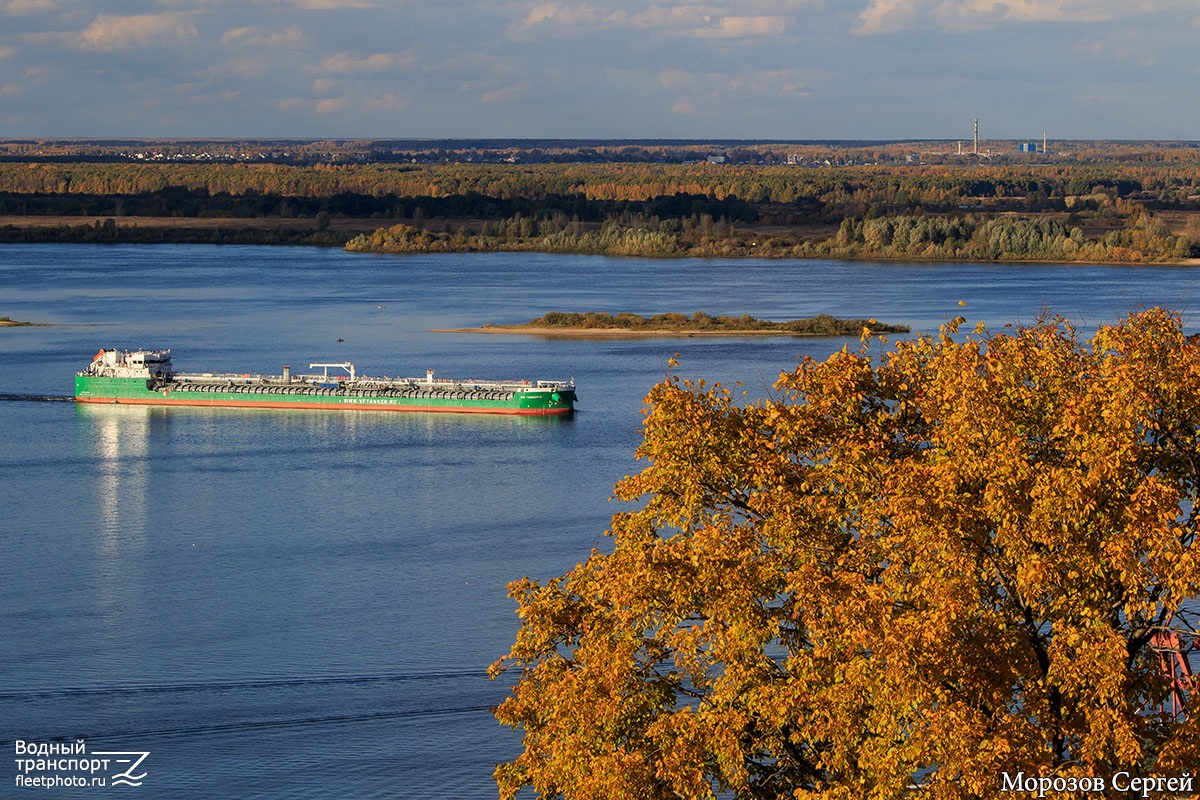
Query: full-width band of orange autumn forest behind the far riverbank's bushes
{"type": "Point", "coordinates": [777, 193]}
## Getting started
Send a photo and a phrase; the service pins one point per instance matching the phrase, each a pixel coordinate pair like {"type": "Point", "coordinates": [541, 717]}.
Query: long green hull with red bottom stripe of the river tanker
{"type": "Point", "coordinates": [135, 392]}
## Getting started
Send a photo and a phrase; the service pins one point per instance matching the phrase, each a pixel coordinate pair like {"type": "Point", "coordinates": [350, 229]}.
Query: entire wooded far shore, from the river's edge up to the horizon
{"type": "Point", "coordinates": [1142, 204]}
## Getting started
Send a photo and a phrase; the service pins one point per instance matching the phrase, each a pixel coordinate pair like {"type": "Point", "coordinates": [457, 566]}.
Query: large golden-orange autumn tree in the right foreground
{"type": "Point", "coordinates": [915, 569]}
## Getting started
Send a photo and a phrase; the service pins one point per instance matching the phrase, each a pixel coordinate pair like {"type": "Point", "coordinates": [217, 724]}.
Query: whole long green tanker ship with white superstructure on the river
{"type": "Point", "coordinates": [147, 378]}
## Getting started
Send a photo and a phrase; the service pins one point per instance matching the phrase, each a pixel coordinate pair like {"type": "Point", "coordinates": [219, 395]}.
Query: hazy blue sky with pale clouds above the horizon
{"type": "Point", "coordinates": [610, 69]}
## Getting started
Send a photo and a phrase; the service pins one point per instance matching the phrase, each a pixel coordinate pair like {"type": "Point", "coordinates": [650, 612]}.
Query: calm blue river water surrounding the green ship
{"type": "Point", "coordinates": [303, 605]}
